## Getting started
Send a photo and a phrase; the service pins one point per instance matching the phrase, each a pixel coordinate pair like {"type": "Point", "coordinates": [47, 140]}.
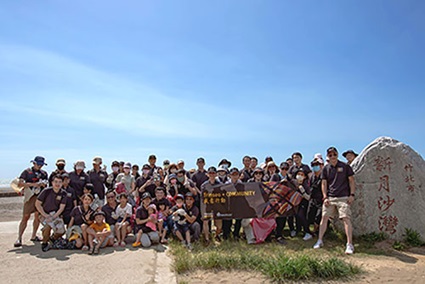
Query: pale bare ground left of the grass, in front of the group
{"type": "Point", "coordinates": [30, 265]}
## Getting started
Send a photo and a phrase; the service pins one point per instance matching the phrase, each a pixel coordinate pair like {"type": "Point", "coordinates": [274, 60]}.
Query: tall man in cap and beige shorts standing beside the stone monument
{"type": "Point", "coordinates": [338, 188]}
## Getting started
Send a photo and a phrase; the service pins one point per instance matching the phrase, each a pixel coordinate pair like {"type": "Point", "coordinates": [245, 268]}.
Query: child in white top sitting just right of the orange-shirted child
{"type": "Point", "coordinates": [123, 215]}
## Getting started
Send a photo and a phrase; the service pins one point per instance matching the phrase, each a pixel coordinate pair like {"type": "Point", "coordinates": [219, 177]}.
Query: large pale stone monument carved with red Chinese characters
{"type": "Point", "coordinates": [390, 196]}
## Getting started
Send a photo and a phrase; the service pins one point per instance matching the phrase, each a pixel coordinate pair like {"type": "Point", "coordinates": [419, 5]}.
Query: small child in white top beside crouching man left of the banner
{"type": "Point", "coordinates": [181, 226]}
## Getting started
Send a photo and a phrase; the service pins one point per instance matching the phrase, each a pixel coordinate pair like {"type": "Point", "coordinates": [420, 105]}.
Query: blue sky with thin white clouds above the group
{"type": "Point", "coordinates": [207, 78]}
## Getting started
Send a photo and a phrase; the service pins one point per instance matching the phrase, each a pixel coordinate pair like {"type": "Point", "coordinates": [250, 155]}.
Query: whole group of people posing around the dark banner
{"type": "Point", "coordinates": [92, 209]}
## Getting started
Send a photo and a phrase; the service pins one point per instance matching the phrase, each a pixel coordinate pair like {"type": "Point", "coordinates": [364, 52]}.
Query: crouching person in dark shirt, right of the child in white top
{"type": "Point", "coordinates": [145, 234]}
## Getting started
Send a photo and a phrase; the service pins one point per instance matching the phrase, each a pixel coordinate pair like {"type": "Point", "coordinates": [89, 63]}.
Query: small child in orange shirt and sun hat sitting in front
{"type": "Point", "coordinates": [99, 233]}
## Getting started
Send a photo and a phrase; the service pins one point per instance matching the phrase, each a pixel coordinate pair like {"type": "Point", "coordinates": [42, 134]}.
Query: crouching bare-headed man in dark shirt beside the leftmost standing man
{"type": "Point", "coordinates": [50, 204]}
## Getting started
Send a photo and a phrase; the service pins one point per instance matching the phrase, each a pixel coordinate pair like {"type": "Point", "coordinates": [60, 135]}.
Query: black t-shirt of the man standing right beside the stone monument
{"type": "Point", "coordinates": [337, 178]}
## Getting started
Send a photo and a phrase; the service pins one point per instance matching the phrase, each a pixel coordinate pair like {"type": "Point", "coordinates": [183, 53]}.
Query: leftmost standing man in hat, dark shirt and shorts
{"type": "Point", "coordinates": [33, 180]}
